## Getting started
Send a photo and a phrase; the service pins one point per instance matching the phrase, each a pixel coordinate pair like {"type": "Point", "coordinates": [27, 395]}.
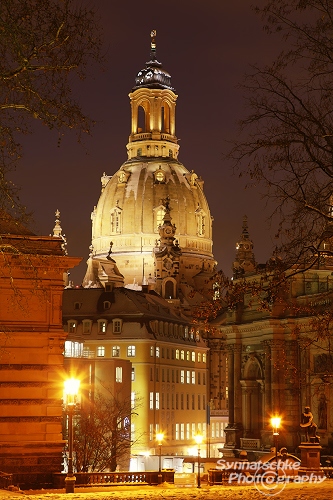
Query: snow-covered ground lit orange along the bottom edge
{"type": "Point", "coordinates": [305, 491]}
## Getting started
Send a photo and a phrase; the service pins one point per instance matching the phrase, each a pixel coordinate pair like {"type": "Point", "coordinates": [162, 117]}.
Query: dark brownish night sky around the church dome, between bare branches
{"type": "Point", "coordinates": [206, 46]}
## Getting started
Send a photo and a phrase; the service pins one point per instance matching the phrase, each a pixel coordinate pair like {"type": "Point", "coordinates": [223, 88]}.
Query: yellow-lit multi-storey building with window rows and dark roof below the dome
{"type": "Point", "coordinates": [169, 361]}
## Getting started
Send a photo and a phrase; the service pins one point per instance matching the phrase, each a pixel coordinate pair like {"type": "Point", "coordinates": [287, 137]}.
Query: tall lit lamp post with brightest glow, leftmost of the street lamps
{"type": "Point", "coordinates": [71, 391]}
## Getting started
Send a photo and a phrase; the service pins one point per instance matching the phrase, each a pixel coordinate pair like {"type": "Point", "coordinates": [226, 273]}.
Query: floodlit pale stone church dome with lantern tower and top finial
{"type": "Point", "coordinates": [131, 207]}
